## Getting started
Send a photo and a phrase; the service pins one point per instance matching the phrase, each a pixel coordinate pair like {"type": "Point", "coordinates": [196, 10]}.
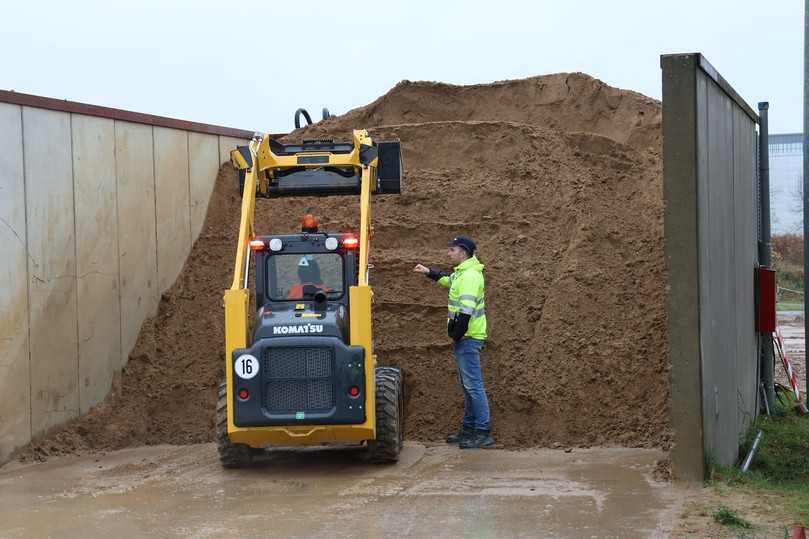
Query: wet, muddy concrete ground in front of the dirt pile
{"type": "Point", "coordinates": [170, 491]}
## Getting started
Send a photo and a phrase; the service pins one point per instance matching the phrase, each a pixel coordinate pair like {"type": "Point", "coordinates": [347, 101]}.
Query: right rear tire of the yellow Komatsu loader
{"type": "Point", "coordinates": [389, 416]}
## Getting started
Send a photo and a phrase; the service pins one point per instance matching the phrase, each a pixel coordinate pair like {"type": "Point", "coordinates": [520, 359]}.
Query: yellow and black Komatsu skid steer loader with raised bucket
{"type": "Point", "coordinates": [306, 373]}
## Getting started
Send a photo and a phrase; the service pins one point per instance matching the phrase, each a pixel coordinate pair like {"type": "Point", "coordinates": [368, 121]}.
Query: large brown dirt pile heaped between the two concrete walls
{"type": "Point", "coordinates": [558, 179]}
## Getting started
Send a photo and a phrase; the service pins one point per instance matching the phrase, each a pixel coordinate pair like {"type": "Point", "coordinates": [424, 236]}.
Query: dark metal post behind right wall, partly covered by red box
{"type": "Point", "coordinates": [767, 369]}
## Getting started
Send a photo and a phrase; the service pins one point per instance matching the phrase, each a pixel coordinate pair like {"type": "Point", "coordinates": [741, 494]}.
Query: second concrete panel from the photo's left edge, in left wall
{"type": "Point", "coordinates": [51, 268]}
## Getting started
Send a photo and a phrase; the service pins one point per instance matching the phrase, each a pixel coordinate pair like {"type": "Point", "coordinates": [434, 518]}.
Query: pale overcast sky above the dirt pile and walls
{"type": "Point", "coordinates": [251, 64]}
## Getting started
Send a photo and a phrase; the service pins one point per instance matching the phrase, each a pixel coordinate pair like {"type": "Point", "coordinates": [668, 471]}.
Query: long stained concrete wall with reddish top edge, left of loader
{"type": "Point", "coordinates": [97, 217]}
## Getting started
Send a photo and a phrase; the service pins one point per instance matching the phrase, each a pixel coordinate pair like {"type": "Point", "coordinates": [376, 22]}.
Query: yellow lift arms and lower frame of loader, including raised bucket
{"type": "Point", "coordinates": [313, 168]}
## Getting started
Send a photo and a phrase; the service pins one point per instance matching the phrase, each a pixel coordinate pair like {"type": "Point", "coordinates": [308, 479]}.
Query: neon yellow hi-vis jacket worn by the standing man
{"type": "Point", "coordinates": [466, 295]}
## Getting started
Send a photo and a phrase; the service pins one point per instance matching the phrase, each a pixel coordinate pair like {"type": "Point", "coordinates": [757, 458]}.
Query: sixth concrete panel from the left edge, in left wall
{"type": "Point", "coordinates": [203, 165]}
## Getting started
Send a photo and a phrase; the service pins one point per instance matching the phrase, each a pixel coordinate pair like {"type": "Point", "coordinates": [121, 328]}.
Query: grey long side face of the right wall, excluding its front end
{"type": "Point", "coordinates": [728, 257]}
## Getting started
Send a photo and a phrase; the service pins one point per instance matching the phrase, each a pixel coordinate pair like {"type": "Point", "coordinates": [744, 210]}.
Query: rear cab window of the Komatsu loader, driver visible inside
{"type": "Point", "coordinates": [300, 276]}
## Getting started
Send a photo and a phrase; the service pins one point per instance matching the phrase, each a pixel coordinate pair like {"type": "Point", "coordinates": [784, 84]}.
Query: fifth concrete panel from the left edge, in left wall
{"type": "Point", "coordinates": [172, 188]}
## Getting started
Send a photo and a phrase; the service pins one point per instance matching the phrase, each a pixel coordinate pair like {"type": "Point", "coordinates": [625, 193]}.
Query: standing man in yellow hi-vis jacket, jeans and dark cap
{"type": "Point", "coordinates": [466, 325]}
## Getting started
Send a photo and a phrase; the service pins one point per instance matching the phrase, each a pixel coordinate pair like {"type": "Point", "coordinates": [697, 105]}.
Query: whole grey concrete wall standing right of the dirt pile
{"type": "Point", "coordinates": [711, 234]}
